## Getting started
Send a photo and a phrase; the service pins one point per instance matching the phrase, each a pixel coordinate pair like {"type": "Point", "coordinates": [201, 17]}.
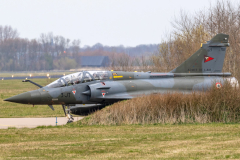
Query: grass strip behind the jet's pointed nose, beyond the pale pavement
{"type": "Point", "coordinates": [9, 88]}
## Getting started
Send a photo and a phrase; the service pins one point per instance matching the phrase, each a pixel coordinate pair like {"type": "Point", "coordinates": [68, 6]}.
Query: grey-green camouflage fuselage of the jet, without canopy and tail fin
{"type": "Point", "coordinates": [122, 86]}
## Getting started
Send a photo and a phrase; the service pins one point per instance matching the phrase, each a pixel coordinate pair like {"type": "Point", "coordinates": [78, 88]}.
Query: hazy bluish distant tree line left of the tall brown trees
{"type": "Point", "coordinates": [50, 52]}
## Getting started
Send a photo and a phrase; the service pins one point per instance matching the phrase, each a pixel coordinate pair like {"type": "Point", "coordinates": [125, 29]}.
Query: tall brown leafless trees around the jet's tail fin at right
{"type": "Point", "coordinates": [192, 30]}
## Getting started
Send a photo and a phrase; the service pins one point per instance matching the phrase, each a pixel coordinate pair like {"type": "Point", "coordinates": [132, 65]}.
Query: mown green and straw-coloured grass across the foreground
{"type": "Point", "coordinates": [188, 141]}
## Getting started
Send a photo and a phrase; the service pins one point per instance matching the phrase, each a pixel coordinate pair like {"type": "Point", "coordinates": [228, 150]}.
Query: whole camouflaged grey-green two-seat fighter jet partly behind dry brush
{"type": "Point", "coordinates": [197, 73]}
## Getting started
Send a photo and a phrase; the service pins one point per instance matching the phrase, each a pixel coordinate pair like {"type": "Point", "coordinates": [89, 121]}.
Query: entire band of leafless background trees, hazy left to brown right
{"type": "Point", "coordinates": [190, 30]}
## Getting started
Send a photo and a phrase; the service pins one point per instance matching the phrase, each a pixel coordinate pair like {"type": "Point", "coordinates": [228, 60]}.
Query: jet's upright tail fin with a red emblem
{"type": "Point", "coordinates": [208, 59]}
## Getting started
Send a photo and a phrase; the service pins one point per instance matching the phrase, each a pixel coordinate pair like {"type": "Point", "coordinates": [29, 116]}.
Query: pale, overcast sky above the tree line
{"type": "Point", "coordinates": [109, 22]}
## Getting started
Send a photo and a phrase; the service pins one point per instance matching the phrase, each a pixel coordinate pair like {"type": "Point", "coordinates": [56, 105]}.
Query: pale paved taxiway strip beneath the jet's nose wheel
{"type": "Point", "coordinates": [33, 122]}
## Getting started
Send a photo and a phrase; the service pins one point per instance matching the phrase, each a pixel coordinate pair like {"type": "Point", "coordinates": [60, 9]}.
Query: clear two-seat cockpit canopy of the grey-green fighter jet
{"type": "Point", "coordinates": [79, 77]}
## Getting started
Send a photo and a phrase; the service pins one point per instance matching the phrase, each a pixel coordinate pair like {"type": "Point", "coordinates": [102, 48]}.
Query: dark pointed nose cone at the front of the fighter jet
{"type": "Point", "coordinates": [21, 98]}
